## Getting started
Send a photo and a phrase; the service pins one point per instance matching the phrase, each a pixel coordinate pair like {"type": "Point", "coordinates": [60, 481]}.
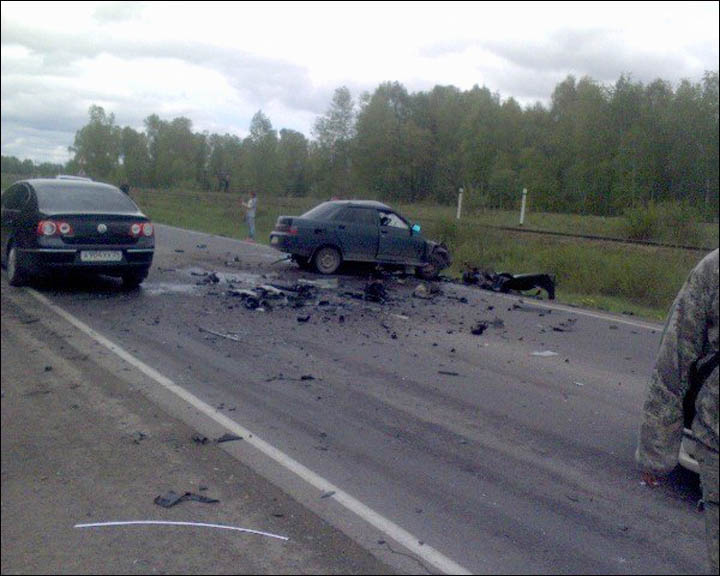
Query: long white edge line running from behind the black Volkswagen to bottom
{"type": "Point", "coordinates": [400, 535]}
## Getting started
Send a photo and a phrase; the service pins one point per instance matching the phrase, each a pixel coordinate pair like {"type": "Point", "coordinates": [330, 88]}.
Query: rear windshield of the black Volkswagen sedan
{"type": "Point", "coordinates": [78, 198]}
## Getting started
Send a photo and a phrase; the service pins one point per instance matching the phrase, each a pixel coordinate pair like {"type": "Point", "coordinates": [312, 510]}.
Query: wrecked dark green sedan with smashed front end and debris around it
{"type": "Point", "coordinates": [360, 231]}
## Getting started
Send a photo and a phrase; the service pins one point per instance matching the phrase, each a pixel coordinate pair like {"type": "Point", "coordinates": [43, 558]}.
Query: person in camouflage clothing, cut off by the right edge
{"type": "Point", "coordinates": [687, 359]}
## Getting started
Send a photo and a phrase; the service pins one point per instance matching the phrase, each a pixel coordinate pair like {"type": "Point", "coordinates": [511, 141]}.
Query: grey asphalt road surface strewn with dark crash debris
{"type": "Point", "coordinates": [509, 451]}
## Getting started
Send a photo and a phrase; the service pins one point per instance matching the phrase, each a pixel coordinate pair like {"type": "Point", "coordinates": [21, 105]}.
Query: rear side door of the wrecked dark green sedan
{"type": "Point", "coordinates": [357, 232]}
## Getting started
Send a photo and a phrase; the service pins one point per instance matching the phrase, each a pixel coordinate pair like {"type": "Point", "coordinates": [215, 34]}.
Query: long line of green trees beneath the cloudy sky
{"type": "Point", "coordinates": [595, 149]}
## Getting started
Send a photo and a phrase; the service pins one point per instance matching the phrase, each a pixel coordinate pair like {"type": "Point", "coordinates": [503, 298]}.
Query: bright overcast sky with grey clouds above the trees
{"type": "Point", "coordinates": [219, 63]}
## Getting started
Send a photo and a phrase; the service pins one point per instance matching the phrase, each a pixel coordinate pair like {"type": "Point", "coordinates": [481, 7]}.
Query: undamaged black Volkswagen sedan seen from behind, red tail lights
{"type": "Point", "coordinates": [72, 224]}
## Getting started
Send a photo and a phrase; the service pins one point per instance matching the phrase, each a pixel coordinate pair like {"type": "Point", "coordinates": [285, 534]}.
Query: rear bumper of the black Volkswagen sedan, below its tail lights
{"type": "Point", "coordinates": [48, 259]}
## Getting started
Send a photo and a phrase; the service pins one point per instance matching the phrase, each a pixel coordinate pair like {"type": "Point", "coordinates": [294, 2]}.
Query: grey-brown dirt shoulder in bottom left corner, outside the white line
{"type": "Point", "coordinates": [81, 446]}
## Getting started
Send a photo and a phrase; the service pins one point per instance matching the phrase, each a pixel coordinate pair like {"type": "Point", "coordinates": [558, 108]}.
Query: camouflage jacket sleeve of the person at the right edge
{"type": "Point", "coordinates": [682, 344]}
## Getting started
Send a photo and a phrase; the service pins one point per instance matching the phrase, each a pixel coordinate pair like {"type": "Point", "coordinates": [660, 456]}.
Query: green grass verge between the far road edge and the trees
{"type": "Point", "coordinates": [608, 276]}
